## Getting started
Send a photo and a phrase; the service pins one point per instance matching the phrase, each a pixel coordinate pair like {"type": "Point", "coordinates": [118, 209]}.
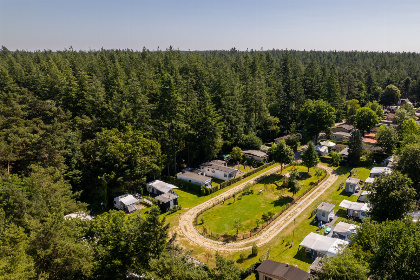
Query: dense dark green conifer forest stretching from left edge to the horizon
{"type": "Point", "coordinates": [80, 127]}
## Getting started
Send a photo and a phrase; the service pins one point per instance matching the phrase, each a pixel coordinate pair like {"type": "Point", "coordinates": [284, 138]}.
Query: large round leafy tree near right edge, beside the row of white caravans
{"type": "Point", "coordinates": [391, 196]}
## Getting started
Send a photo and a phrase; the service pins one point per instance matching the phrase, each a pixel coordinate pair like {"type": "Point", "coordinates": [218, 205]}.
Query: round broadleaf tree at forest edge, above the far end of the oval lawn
{"type": "Point", "coordinates": [317, 116]}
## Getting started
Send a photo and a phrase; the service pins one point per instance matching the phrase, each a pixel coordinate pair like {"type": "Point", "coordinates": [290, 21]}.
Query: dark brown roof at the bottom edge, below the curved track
{"type": "Point", "coordinates": [286, 271]}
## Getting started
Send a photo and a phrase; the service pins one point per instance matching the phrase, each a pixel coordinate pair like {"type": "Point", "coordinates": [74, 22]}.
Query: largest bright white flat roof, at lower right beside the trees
{"type": "Point", "coordinates": [323, 244]}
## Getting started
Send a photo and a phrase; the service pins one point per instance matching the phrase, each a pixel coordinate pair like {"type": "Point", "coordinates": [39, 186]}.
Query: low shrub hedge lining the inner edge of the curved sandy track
{"type": "Point", "coordinates": [255, 231]}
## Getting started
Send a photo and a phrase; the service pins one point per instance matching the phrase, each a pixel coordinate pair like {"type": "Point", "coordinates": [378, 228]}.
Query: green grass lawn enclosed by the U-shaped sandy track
{"type": "Point", "coordinates": [248, 208]}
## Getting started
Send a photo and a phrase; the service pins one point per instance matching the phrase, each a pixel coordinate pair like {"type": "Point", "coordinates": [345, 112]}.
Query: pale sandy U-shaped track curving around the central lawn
{"type": "Point", "coordinates": [189, 231]}
